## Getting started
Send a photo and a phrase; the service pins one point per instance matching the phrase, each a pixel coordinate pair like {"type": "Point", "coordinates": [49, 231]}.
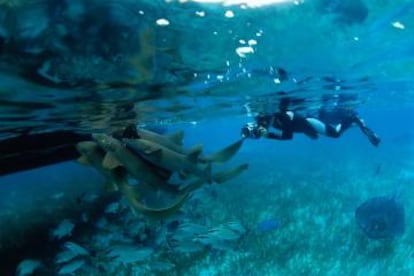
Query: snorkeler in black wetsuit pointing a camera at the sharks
{"type": "Point", "coordinates": [289, 122]}
